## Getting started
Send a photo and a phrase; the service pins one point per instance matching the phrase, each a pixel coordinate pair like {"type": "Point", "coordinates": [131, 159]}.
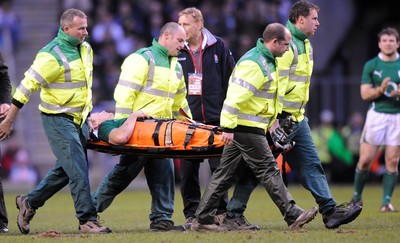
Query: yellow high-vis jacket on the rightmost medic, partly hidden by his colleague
{"type": "Point", "coordinates": [295, 69]}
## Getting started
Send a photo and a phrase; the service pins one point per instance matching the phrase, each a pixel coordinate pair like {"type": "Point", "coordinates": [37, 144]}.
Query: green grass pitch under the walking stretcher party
{"type": "Point", "coordinates": [128, 218]}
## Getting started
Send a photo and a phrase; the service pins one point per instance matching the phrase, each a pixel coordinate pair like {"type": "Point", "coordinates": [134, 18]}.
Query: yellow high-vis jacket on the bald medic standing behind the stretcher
{"type": "Point", "coordinates": [153, 82]}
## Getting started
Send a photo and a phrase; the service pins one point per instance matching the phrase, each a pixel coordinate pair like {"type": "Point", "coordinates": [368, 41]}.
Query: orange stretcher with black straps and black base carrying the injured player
{"type": "Point", "coordinates": [167, 138]}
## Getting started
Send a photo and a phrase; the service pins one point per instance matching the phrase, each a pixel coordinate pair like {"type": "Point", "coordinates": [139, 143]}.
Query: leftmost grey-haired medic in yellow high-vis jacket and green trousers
{"type": "Point", "coordinates": [63, 71]}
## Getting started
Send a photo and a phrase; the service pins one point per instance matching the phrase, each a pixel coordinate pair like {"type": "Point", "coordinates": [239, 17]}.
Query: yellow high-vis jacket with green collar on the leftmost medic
{"type": "Point", "coordinates": [63, 70]}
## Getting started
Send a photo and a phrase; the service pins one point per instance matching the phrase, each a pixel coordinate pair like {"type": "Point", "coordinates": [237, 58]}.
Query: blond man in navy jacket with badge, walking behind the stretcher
{"type": "Point", "coordinates": [207, 64]}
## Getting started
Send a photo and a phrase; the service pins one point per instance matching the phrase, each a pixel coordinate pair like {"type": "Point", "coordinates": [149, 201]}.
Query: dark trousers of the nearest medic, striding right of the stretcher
{"type": "Point", "coordinates": [254, 150]}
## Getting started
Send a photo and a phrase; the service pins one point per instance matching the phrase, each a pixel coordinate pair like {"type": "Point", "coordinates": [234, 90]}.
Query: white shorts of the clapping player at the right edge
{"type": "Point", "coordinates": [381, 129]}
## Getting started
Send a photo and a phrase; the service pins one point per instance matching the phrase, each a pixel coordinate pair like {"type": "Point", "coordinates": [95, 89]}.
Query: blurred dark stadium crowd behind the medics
{"type": "Point", "coordinates": [345, 40]}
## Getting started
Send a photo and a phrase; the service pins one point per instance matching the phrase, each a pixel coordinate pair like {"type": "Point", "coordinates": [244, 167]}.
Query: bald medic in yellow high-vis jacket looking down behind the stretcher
{"type": "Point", "coordinates": [151, 80]}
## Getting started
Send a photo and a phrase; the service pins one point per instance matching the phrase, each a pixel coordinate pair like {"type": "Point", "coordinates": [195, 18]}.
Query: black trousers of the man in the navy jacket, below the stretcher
{"type": "Point", "coordinates": [190, 186]}
